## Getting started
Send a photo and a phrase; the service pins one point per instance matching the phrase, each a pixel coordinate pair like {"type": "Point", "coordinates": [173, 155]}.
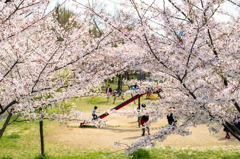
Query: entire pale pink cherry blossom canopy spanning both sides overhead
{"type": "Point", "coordinates": [181, 41]}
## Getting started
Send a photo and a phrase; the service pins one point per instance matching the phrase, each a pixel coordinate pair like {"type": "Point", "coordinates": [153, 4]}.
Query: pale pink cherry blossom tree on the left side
{"type": "Point", "coordinates": [36, 53]}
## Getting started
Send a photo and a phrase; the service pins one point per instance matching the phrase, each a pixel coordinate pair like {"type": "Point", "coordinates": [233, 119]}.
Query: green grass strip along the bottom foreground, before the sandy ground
{"type": "Point", "coordinates": [21, 141]}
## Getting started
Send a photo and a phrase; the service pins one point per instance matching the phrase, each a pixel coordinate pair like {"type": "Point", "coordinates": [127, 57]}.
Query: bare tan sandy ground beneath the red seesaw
{"type": "Point", "coordinates": [126, 131]}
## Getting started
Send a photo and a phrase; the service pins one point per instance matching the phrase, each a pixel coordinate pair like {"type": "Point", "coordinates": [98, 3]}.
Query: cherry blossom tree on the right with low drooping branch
{"type": "Point", "coordinates": [195, 52]}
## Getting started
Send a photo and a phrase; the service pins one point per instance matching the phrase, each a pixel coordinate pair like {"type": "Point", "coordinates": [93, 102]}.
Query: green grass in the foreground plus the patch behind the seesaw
{"type": "Point", "coordinates": [21, 141]}
